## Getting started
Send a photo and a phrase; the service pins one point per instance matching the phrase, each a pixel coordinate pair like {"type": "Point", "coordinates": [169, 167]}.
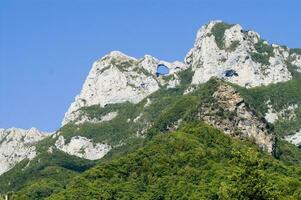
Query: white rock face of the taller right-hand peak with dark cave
{"type": "Point", "coordinates": [221, 48]}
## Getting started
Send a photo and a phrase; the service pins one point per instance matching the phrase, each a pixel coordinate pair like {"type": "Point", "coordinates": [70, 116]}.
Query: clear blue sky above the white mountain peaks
{"type": "Point", "coordinates": [47, 46]}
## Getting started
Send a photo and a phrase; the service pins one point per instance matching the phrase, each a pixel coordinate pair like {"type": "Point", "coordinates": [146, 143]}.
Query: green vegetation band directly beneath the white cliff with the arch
{"type": "Point", "coordinates": [124, 127]}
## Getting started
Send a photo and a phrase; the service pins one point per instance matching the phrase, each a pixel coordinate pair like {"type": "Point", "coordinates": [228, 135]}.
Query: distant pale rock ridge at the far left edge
{"type": "Point", "coordinates": [16, 145]}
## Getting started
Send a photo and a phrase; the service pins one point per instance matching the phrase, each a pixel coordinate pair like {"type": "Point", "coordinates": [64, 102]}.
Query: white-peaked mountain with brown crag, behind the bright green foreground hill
{"type": "Point", "coordinates": [125, 102]}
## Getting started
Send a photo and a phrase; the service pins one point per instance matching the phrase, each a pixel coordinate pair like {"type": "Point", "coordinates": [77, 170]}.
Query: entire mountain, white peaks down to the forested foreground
{"type": "Point", "coordinates": [235, 100]}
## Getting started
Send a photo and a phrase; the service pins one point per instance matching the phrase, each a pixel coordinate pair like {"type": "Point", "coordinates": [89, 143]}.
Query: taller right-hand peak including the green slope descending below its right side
{"type": "Point", "coordinates": [243, 58]}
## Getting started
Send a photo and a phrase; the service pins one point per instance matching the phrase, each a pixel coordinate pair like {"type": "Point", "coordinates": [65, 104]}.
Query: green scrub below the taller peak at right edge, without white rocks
{"type": "Point", "coordinates": [280, 96]}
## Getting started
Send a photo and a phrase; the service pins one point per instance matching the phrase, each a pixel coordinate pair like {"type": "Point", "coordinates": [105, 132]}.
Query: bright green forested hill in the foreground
{"type": "Point", "coordinates": [196, 162]}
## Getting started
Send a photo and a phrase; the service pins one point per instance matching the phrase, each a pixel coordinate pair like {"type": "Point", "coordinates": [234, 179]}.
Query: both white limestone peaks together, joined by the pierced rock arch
{"type": "Point", "coordinates": [221, 50]}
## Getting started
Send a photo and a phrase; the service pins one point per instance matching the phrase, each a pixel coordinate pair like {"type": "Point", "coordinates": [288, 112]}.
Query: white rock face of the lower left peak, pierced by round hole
{"type": "Point", "coordinates": [118, 78]}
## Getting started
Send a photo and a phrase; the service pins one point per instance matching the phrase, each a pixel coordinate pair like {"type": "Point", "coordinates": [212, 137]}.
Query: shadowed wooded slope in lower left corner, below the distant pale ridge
{"type": "Point", "coordinates": [50, 171]}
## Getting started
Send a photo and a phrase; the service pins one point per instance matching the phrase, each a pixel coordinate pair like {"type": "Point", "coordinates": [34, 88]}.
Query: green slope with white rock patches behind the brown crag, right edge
{"type": "Point", "coordinates": [280, 104]}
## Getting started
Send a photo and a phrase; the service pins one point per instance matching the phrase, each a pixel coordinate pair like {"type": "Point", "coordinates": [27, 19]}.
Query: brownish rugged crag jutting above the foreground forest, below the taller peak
{"type": "Point", "coordinates": [230, 114]}
